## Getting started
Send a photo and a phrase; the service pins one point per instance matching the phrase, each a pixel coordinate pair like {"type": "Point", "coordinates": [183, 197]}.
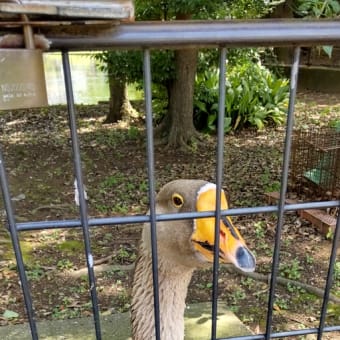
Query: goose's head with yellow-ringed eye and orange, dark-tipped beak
{"type": "Point", "coordinates": [190, 243]}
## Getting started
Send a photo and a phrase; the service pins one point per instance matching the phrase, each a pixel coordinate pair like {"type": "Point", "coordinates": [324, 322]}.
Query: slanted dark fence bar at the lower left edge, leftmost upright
{"type": "Point", "coordinates": [17, 250]}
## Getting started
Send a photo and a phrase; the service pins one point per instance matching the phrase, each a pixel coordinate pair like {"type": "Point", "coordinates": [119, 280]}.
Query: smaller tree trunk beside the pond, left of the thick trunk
{"type": "Point", "coordinates": [119, 106]}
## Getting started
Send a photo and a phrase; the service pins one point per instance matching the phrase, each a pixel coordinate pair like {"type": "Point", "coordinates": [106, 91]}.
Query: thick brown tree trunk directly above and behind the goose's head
{"type": "Point", "coordinates": [181, 128]}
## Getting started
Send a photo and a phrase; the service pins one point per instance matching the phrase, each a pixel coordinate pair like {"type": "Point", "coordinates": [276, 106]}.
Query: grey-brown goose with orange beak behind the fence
{"type": "Point", "coordinates": [182, 247]}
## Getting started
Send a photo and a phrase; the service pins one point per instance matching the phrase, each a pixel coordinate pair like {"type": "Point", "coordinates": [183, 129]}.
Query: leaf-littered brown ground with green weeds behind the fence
{"type": "Point", "coordinates": [38, 158]}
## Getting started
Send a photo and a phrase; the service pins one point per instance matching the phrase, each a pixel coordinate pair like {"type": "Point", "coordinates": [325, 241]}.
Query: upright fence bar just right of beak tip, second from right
{"type": "Point", "coordinates": [284, 181]}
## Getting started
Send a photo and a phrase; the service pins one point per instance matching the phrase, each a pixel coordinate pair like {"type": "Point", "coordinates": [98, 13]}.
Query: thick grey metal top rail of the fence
{"type": "Point", "coordinates": [202, 34]}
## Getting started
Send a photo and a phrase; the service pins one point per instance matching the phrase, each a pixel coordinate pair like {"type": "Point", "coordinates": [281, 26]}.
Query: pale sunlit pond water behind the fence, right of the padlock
{"type": "Point", "coordinates": [90, 85]}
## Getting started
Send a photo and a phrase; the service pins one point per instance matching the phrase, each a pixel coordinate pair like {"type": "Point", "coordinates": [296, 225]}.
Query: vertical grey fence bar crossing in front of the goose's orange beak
{"type": "Point", "coordinates": [219, 175]}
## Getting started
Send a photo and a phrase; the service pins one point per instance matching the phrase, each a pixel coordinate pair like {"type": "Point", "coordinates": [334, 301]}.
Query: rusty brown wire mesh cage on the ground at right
{"type": "Point", "coordinates": [315, 162]}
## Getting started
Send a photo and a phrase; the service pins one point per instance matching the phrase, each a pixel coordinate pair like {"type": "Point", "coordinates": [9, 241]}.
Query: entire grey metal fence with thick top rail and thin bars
{"type": "Point", "coordinates": [172, 35]}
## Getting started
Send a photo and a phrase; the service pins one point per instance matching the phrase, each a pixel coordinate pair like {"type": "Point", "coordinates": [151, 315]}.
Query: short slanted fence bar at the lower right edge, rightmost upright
{"type": "Point", "coordinates": [329, 280]}
